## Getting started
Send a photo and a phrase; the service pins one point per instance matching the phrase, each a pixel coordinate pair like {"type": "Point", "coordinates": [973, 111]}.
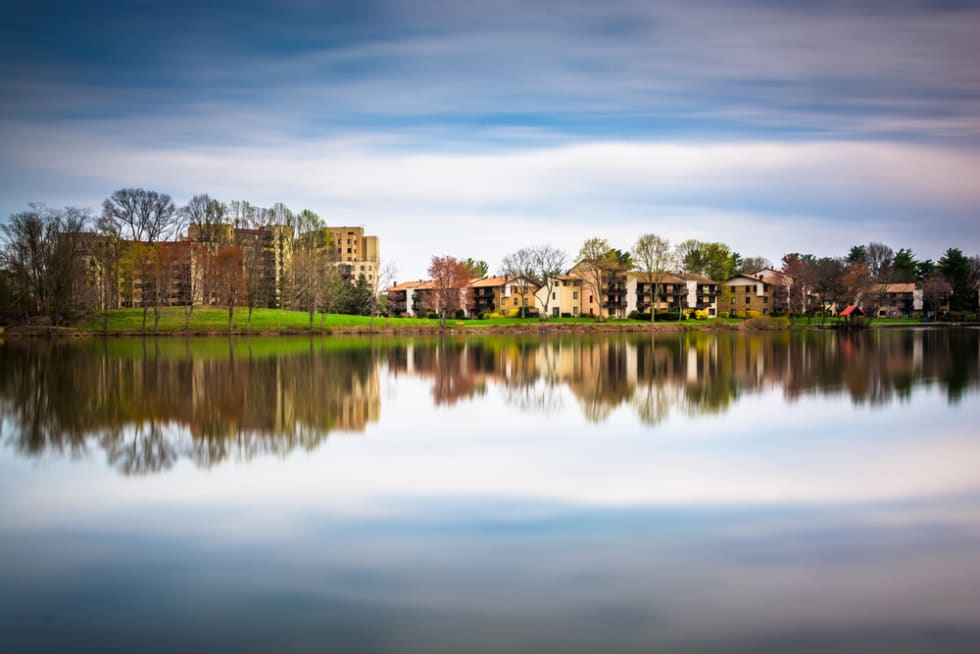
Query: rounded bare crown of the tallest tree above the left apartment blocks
{"type": "Point", "coordinates": [140, 215]}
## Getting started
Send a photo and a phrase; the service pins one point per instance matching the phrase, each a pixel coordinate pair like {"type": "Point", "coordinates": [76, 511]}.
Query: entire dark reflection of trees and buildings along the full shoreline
{"type": "Point", "coordinates": [147, 404]}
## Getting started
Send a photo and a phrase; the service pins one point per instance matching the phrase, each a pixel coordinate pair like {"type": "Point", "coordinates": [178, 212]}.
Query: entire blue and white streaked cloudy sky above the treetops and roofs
{"type": "Point", "coordinates": [477, 128]}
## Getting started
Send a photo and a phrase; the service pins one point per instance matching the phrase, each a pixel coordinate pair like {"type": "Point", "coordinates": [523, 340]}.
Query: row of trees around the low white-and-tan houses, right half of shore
{"type": "Point", "coordinates": [811, 284]}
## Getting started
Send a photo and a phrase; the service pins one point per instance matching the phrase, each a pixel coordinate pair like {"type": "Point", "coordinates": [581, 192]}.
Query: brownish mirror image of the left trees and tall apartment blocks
{"type": "Point", "coordinates": [149, 403]}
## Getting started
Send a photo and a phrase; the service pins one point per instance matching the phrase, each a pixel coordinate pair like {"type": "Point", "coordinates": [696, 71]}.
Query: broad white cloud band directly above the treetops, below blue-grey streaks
{"type": "Point", "coordinates": [761, 197]}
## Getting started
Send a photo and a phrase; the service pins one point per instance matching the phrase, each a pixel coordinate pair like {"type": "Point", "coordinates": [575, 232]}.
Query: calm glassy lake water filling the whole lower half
{"type": "Point", "coordinates": [729, 493]}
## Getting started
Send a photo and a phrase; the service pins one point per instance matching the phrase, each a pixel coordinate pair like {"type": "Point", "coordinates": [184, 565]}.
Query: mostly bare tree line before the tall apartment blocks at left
{"type": "Point", "coordinates": [68, 265]}
